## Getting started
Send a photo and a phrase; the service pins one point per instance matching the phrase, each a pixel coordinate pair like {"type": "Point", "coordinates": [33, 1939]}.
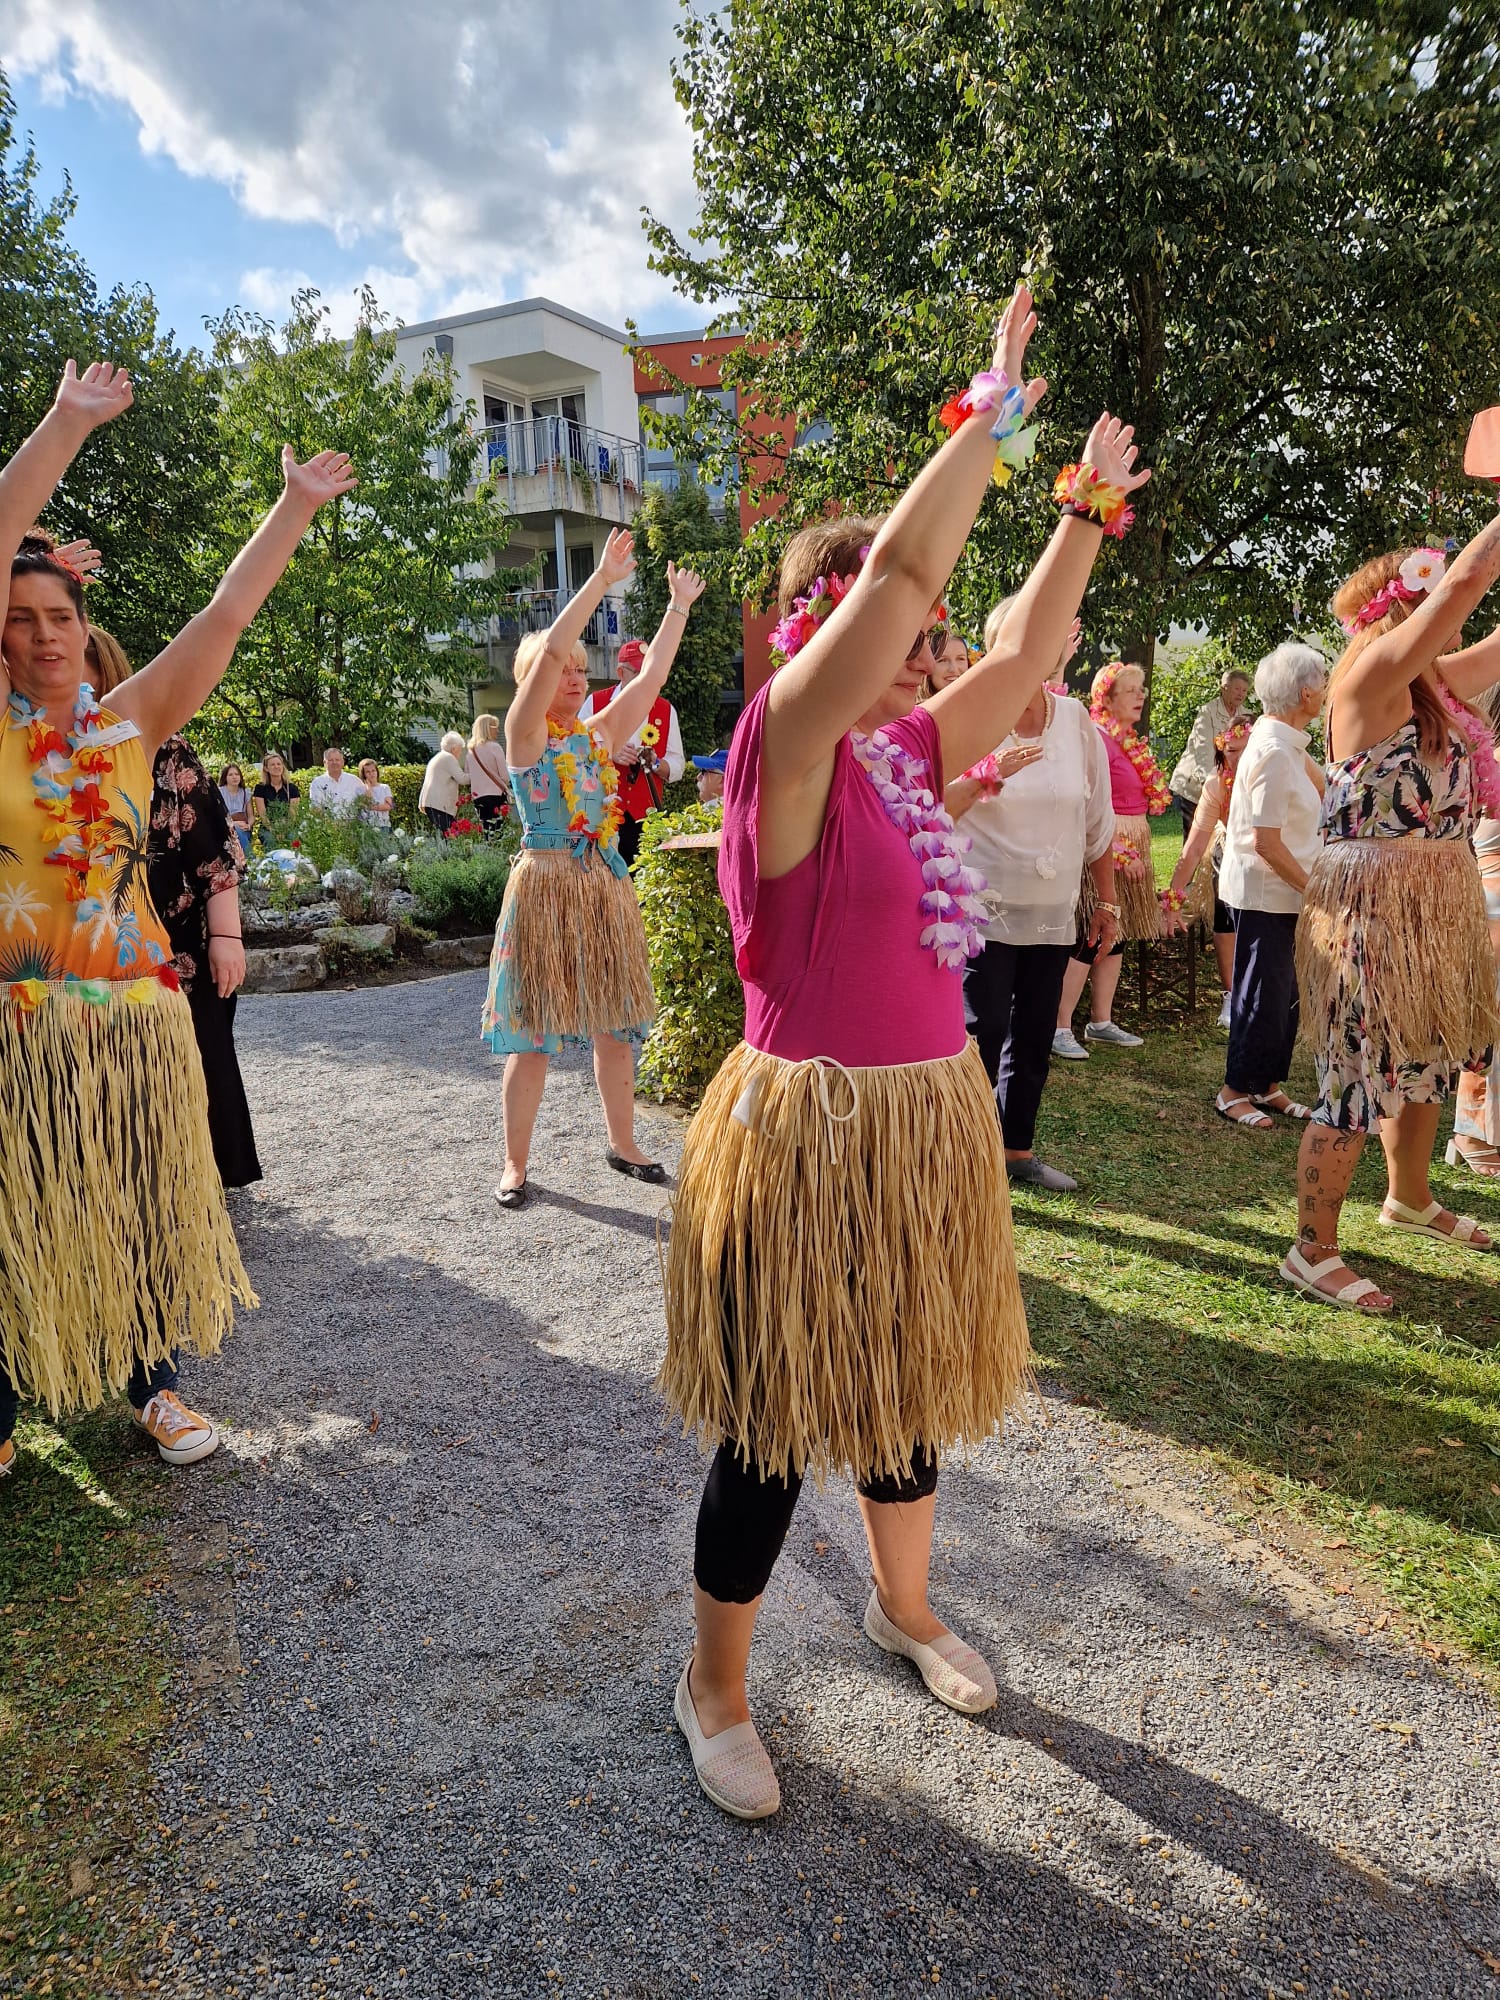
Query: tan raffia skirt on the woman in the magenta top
{"type": "Point", "coordinates": [841, 1281]}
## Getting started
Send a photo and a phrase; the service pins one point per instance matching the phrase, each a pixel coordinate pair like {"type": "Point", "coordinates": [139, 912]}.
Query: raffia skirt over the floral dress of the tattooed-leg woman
{"type": "Point", "coordinates": [1393, 949]}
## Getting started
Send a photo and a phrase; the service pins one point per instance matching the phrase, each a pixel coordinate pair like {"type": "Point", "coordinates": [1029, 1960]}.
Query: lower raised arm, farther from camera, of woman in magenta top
{"type": "Point", "coordinates": [983, 705]}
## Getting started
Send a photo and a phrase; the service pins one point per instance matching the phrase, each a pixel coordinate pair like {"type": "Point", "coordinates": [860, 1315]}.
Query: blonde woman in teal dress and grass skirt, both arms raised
{"type": "Point", "coordinates": [569, 961]}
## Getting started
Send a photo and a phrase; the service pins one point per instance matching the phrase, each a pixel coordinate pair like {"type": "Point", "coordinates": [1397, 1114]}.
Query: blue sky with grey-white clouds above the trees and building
{"type": "Point", "coordinates": [451, 153]}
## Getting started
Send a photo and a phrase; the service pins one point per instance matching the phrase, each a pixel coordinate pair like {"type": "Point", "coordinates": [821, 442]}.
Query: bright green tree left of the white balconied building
{"type": "Point", "coordinates": [351, 643]}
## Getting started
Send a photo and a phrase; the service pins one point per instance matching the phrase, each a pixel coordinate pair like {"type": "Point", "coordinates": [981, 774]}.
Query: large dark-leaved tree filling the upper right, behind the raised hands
{"type": "Point", "coordinates": [1261, 229]}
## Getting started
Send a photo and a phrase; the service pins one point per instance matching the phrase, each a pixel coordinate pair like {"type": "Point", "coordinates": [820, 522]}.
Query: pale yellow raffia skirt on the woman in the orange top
{"type": "Point", "coordinates": [117, 1243]}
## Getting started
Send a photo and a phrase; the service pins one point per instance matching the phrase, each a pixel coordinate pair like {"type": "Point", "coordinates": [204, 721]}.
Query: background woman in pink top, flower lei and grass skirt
{"type": "Point", "coordinates": [1139, 793]}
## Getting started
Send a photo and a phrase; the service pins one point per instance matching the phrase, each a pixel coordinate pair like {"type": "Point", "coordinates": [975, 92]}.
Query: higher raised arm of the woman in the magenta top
{"type": "Point", "coordinates": [859, 651]}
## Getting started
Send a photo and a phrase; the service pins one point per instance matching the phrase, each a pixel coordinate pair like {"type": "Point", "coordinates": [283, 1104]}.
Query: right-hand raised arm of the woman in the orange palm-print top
{"type": "Point", "coordinates": [173, 689]}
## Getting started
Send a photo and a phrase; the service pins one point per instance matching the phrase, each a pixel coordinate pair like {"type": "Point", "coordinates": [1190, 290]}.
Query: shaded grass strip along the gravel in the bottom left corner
{"type": "Point", "coordinates": [83, 1701]}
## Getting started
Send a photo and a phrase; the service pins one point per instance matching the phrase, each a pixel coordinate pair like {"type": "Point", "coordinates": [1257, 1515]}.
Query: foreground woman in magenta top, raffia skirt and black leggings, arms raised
{"type": "Point", "coordinates": [817, 1319]}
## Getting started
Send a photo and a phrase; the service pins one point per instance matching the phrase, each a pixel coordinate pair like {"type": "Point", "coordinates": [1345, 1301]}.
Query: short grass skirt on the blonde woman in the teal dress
{"type": "Point", "coordinates": [569, 957]}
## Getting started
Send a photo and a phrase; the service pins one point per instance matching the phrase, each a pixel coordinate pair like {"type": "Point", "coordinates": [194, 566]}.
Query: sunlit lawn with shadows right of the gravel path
{"type": "Point", "coordinates": [1153, 1293]}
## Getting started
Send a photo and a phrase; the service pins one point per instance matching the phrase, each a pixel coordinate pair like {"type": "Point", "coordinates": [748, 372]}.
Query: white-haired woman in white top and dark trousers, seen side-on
{"type": "Point", "coordinates": [1271, 843]}
